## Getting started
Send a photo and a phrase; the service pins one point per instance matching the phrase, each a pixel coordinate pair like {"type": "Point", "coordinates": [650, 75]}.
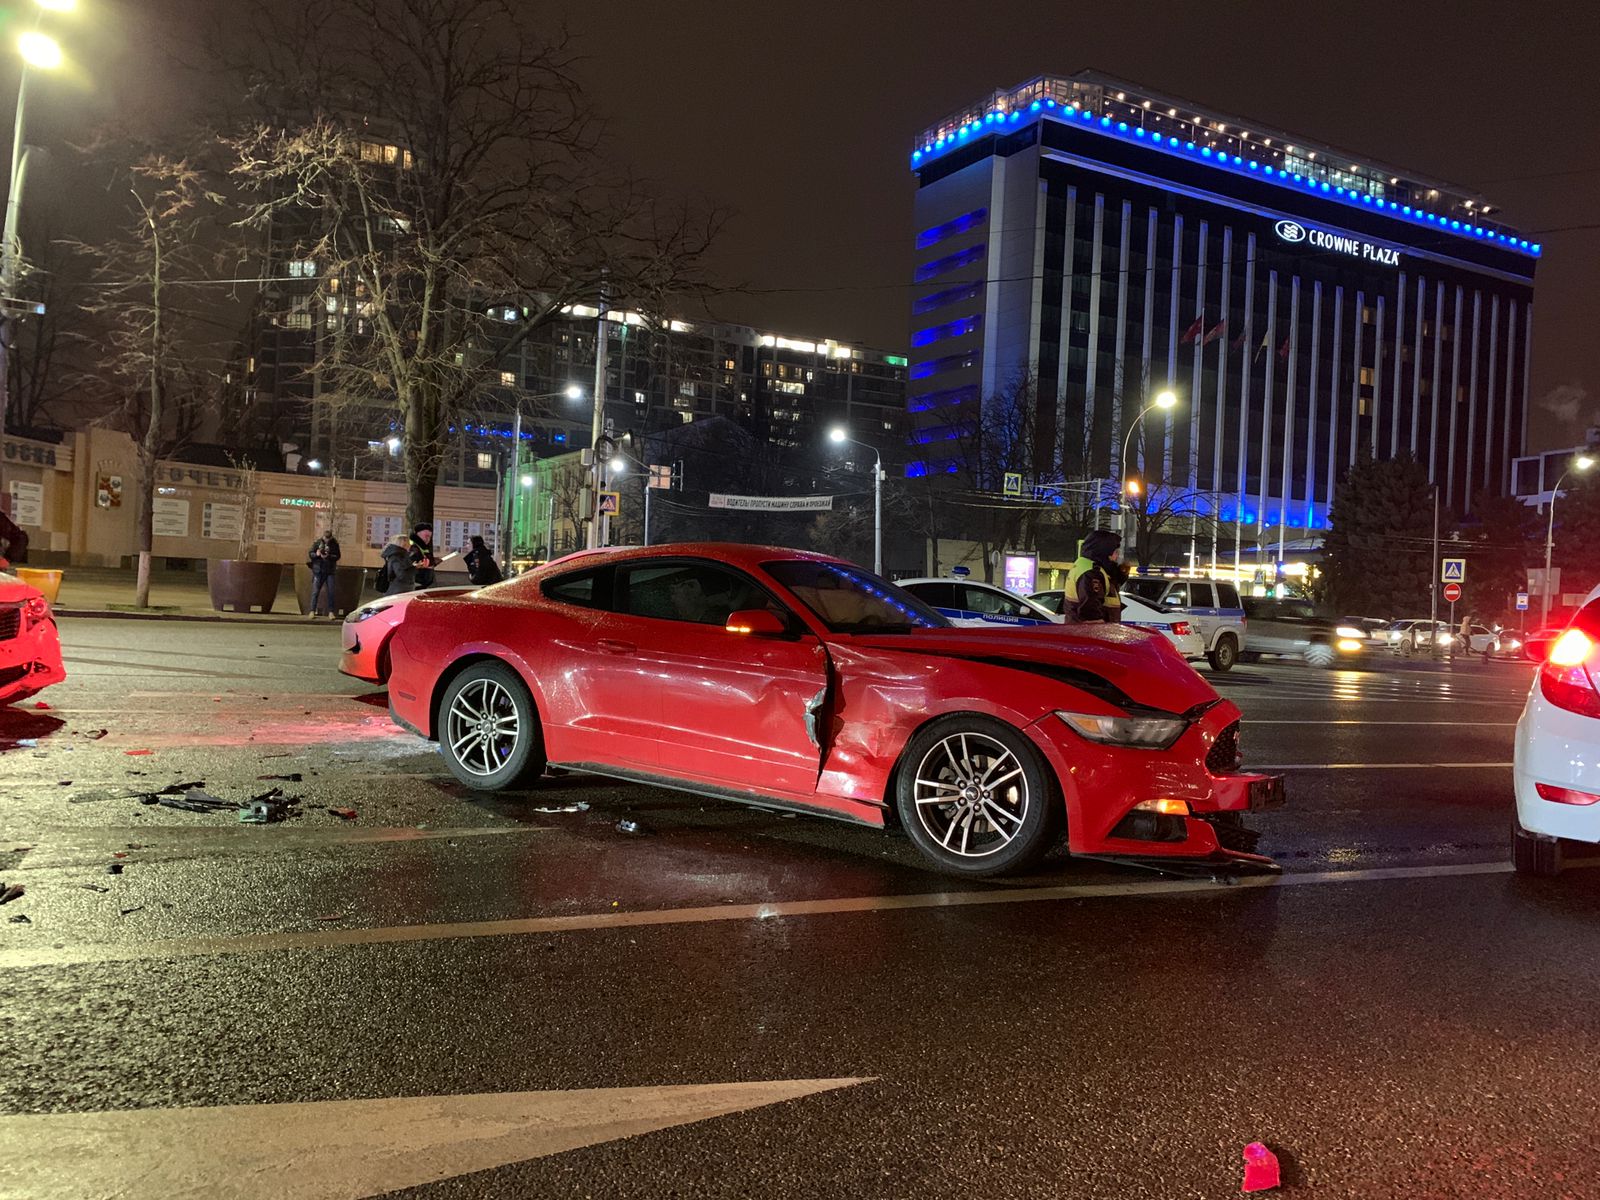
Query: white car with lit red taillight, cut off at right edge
{"type": "Point", "coordinates": [1558, 759]}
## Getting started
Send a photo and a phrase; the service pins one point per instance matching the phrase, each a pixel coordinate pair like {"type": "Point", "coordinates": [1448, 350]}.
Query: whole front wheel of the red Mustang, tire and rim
{"type": "Point", "coordinates": [977, 798]}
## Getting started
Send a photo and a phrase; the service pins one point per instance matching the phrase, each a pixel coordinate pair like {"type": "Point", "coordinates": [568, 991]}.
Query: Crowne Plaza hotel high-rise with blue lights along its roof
{"type": "Point", "coordinates": [1105, 242]}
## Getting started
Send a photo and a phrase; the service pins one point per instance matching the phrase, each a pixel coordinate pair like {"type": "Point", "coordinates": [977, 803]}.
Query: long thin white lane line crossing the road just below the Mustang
{"type": "Point", "coordinates": [310, 940]}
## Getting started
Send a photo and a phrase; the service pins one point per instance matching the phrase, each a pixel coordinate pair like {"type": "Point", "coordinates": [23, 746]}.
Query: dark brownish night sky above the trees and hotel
{"type": "Point", "coordinates": [801, 119]}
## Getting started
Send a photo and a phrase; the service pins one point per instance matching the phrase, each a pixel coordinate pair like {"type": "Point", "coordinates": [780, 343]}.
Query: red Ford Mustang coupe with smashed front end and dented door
{"type": "Point", "coordinates": [801, 682]}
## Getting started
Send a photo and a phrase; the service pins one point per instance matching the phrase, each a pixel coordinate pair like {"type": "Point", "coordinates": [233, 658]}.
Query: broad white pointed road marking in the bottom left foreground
{"type": "Point", "coordinates": [346, 1150]}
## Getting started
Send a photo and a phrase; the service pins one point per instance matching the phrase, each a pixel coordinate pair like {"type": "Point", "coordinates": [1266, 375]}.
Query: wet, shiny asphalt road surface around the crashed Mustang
{"type": "Point", "coordinates": [1399, 1017]}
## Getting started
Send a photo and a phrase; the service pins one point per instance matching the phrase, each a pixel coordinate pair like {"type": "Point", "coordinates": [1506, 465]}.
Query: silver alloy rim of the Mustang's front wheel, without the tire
{"type": "Point", "coordinates": [972, 794]}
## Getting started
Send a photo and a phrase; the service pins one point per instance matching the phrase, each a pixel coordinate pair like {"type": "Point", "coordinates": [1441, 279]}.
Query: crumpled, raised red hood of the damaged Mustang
{"type": "Point", "coordinates": [1140, 665]}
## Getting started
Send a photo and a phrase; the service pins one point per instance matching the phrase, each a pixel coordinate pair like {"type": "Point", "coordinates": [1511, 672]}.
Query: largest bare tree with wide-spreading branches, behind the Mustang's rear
{"type": "Point", "coordinates": [439, 164]}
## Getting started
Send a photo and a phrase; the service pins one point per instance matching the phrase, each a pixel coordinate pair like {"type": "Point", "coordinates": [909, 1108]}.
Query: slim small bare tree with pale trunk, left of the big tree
{"type": "Point", "coordinates": [153, 348]}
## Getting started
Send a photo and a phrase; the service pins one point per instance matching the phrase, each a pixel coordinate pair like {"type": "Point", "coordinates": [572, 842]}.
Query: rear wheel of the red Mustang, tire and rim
{"type": "Point", "coordinates": [489, 729]}
